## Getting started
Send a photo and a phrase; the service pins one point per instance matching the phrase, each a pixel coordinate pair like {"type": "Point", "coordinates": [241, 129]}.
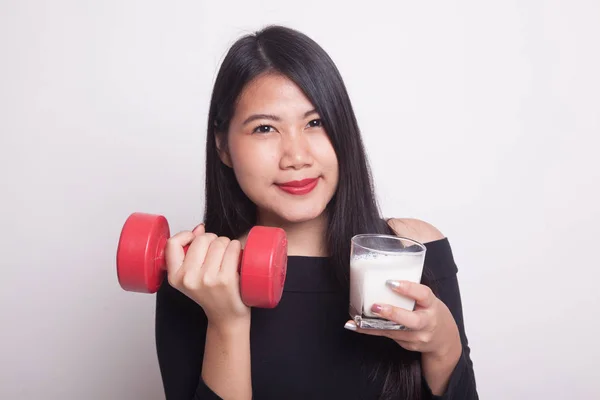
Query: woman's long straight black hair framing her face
{"type": "Point", "coordinates": [353, 208]}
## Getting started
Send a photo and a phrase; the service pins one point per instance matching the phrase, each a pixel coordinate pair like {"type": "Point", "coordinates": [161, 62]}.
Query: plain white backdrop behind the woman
{"type": "Point", "coordinates": [481, 118]}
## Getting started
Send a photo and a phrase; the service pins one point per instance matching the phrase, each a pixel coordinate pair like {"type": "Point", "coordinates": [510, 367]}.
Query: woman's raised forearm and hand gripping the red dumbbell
{"type": "Point", "coordinates": [208, 275]}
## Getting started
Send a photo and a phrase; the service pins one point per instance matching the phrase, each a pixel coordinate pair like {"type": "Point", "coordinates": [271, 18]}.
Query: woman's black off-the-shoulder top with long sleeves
{"type": "Point", "coordinates": [300, 349]}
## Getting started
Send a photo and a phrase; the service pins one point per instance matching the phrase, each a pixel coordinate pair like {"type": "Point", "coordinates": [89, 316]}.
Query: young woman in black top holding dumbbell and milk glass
{"type": "Point", "coordinates": [280, 113]}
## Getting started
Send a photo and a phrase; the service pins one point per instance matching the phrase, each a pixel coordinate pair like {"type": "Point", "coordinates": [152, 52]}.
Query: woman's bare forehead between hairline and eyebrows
{"type": "Point", "coordinates": [273, 94]}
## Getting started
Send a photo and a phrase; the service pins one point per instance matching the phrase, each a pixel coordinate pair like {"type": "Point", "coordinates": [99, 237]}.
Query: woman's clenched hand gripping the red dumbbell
{"type": "Point", "coordinates": [208, 274]}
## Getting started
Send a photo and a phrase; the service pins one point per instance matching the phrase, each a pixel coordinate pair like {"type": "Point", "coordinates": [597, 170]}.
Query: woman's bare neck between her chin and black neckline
{"type": "Point", "coordinates": [306, 238]}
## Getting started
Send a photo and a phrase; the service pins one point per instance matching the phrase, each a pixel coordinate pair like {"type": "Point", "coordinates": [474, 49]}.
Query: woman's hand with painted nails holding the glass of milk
{"type": "Point", "coordinates": [431, 328]}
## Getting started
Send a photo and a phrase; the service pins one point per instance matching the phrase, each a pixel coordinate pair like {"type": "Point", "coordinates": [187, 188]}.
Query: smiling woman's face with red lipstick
{"type": "Point", "coordinates": [280, 151]}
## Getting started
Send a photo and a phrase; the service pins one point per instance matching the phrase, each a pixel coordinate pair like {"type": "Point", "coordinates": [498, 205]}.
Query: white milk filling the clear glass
{"type": "Point", "coordinates": [368, 274]}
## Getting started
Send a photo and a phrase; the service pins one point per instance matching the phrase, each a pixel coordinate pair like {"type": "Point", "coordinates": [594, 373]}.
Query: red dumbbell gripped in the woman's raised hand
{"type": "Point", "coordinates": [141, 265]}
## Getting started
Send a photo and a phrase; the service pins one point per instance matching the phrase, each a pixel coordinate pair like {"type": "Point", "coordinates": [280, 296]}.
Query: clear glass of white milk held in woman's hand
{"type": "Point", "coordinates": [374, 259]}
